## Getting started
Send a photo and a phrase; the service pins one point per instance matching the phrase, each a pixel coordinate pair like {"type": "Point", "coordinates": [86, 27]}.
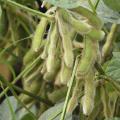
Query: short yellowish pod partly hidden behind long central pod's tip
{"type": "Point", "coordinates": [65, 73]}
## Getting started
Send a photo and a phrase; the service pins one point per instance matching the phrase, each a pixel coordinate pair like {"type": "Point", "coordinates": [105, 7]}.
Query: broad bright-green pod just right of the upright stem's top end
{"type": "Point", "coordinates": [88, 58]}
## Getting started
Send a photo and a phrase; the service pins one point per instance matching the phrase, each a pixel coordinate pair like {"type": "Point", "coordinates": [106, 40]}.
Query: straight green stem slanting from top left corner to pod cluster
{"type": "Point", "coordinates": [12, 3]}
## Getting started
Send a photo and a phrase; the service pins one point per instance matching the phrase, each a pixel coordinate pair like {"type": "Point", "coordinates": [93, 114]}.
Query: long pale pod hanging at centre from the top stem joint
{"type": "Point", "coordinates": [65, 30]}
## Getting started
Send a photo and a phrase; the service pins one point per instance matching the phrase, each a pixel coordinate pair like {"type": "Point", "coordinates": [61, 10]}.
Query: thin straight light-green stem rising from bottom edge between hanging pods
{"type": "Point", "coordinates": [69, 90]}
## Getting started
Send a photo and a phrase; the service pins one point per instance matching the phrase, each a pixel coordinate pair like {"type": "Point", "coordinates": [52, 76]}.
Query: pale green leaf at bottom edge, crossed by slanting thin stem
{"type": "Point", "coordinates": [54, 113]}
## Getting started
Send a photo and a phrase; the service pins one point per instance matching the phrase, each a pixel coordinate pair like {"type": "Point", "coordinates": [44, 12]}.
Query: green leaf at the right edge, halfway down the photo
{"type": "Point", "coordinates": [113, 68]}
